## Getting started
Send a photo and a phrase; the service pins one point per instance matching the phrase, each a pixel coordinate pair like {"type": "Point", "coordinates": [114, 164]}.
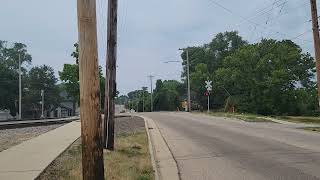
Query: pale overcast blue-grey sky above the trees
{"type": "Point", "coordinates": [150, 32]}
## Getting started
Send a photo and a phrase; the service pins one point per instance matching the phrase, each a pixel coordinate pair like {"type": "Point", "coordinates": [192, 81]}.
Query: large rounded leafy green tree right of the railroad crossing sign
{"type": "Point", "coordinates": [268, 77]}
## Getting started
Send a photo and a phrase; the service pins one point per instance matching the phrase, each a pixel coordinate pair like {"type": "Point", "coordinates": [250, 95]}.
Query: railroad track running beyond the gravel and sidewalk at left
{"type": "Point", "coordinates": [27, 123]}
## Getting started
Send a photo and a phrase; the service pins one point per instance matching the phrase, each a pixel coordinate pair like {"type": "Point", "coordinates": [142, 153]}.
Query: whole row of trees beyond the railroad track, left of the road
{"type": "Point", "coordinates": [35, 79]}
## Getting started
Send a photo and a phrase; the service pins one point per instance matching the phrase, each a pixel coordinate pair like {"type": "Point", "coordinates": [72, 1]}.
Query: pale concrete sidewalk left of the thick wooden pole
{"type": "Point", "coordinates": [28, 159]}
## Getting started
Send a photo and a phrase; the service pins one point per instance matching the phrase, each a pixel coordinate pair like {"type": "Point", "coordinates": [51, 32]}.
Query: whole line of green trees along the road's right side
{"type": "Point", "coordinates": [270, 77]}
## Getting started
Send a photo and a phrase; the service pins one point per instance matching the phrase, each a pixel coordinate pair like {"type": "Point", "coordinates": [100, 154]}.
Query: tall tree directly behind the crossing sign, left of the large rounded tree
{"type": "Point", "coordinates": [211, 55]}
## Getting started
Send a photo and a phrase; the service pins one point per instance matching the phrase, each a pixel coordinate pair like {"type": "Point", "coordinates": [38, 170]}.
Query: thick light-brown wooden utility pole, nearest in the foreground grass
{"type": "Point", "coordinates": [91, 127]}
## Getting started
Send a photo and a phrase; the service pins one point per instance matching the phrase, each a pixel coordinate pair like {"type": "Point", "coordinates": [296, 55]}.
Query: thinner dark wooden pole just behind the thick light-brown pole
{"type": "Point", "coordinates": [111, 88]}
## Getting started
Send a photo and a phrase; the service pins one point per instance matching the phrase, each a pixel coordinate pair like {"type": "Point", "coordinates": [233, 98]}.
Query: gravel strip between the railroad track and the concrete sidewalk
{"type": "Point", "coordinates": [12, 137]}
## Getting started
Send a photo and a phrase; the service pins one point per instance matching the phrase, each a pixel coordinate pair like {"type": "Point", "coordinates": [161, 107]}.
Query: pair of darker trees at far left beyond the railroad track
{"type": "Point", "coordinates": [34, 80]}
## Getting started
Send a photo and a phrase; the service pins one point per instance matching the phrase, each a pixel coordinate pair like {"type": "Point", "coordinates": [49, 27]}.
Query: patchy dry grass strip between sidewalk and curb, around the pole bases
{"type": "Point", "coordinates": [129, 161]}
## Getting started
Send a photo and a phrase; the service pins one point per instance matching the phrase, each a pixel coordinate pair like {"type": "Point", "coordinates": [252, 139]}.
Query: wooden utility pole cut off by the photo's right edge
{"type": "Point", "coordinates": [316, 38]}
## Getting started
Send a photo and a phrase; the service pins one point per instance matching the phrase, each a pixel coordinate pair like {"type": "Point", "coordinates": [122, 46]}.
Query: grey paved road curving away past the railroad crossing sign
{"type": "Point", "coordinates": [226, 149]}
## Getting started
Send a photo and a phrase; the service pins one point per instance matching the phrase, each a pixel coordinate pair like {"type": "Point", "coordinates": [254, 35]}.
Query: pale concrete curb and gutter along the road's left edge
{"type": "Point", "coordinates": [163, 162]}
